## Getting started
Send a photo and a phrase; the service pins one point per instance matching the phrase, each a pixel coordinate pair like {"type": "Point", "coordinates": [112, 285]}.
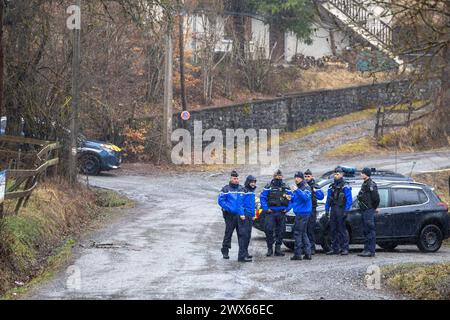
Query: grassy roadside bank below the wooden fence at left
{"type": "Point", "coordinates": [54, 216]}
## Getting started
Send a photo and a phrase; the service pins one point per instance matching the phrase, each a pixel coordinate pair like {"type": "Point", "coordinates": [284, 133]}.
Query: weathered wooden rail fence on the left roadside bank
{"type": "Point", "coordinates": [20, 183]}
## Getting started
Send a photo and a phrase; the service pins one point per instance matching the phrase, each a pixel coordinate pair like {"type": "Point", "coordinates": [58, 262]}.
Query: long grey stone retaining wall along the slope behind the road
{"type": "Point", "coordinates": [292, 112]}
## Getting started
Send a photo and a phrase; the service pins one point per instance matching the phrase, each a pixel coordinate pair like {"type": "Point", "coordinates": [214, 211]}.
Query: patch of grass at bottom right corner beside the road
{"type": "Point", "coordinates": [425, 282]}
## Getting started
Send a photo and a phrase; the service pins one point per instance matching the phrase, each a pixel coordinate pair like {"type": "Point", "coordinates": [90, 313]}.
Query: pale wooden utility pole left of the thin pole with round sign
{"type": "Point", "coordinates": [168, 92]}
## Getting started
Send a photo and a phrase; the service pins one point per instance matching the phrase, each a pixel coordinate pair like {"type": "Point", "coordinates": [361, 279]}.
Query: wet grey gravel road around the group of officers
{"type": "Point", "coordinates": [168, 246]}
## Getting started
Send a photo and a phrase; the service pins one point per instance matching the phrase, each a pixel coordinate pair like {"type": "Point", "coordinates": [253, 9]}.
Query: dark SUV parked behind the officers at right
{"type": "Point", "coordinates": [409, 213]}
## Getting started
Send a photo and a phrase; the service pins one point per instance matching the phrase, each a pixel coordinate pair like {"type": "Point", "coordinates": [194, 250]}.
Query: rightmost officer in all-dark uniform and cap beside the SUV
{"type": "Point", "coordinates": [369, 200]}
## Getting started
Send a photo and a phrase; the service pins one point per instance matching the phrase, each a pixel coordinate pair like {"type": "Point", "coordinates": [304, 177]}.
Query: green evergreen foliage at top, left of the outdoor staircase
{"type": "Point", "coordinates": [289, 15]}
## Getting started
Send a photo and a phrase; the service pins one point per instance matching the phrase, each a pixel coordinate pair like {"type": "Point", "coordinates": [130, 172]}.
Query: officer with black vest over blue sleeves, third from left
{"type": "Point", "coordinates": [275, 201]}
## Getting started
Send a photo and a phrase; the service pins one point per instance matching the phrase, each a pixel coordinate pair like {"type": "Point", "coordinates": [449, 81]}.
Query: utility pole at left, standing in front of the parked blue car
{"type": "Point", "coordinates": [73, 168]}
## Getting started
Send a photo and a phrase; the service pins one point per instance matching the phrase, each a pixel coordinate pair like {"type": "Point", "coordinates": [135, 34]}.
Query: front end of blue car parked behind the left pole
{"type": "Point", "coordinates": [96, 156]}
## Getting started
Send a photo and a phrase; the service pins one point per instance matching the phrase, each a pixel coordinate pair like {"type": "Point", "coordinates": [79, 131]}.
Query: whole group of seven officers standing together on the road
{"type": "Point", "coordinates": [239, 207]}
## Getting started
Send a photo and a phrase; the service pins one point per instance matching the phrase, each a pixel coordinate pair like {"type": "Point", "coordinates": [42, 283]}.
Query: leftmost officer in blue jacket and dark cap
{"type": "Point", "coordinates": [230, 200]}
